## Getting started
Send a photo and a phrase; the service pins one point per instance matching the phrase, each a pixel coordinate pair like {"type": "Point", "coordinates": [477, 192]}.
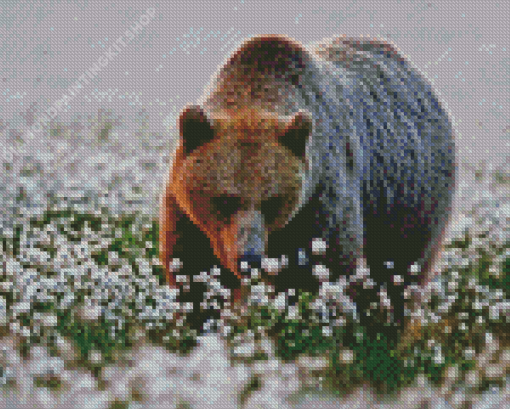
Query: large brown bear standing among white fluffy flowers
{"type": "Point", "coordinates": [342, 141]}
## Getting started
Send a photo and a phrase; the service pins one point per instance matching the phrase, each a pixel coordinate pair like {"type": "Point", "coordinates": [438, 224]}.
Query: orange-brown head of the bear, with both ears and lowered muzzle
{"type": "Point", "coordinates": [238, 175]}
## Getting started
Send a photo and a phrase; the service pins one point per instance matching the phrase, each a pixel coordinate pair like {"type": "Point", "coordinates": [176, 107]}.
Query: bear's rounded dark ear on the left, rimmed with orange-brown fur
{"type": "Point", "coordinates": [195, 128]}
